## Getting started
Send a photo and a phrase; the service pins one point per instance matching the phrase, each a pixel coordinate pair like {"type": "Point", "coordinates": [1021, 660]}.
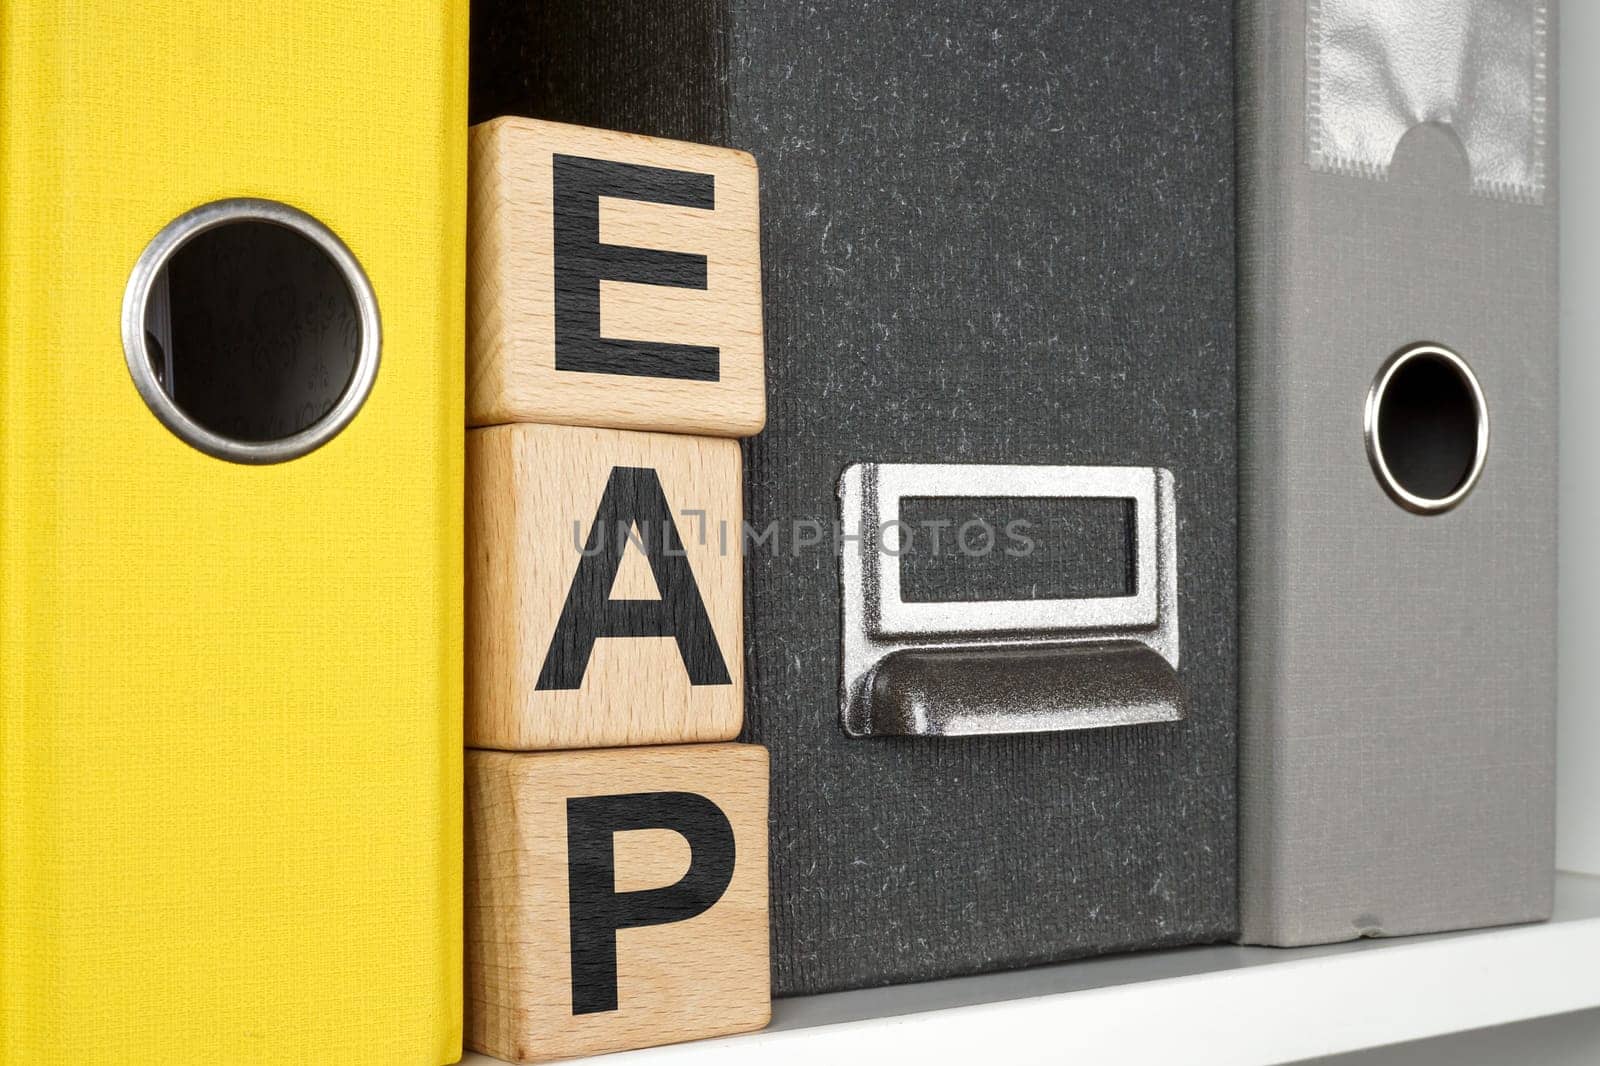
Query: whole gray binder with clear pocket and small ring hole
{"type": "Point", "coordinates": [1398, 483]}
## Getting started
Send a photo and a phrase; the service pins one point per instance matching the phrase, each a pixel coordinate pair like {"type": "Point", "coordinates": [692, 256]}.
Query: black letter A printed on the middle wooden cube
{"type": "Point", "coordinates": [633, 499]}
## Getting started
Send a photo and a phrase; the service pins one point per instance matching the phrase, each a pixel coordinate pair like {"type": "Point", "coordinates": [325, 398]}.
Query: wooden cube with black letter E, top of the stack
{"type": "Point", "coordinates": [612, 281]}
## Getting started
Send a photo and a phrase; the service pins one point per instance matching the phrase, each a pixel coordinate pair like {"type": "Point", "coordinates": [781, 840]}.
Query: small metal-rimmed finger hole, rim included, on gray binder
{"type": "Point", "coordinates": [1426, 428]}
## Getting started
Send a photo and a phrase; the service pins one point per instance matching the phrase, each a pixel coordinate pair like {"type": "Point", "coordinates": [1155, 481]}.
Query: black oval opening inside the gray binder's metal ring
{"type": "Point", "coordinates": [1428, 427]}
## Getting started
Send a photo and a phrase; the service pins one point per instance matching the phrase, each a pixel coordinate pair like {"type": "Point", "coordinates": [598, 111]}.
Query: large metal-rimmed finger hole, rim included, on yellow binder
{"type": "Point", "coordinates": [250, 331]}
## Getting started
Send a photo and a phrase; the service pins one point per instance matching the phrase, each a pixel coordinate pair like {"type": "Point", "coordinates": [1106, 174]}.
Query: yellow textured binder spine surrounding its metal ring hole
{"type": "Point", "coordinates": [231, 723]}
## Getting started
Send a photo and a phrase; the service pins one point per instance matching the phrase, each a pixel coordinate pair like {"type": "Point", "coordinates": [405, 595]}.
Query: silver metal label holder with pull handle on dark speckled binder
{"type": "Point", "coordinates": [1006, 667]}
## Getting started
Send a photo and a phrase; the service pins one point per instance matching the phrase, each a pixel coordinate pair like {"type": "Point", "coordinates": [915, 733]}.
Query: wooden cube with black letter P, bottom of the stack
{"type": "Point", "coordinates": [615, 899]}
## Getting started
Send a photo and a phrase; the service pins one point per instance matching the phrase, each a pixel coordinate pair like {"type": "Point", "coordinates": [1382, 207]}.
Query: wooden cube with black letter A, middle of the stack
{"type": "Point", "coordinates": [604, 588]}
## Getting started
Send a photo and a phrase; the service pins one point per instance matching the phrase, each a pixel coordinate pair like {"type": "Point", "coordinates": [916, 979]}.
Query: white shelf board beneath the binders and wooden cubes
{"type": "Point", "coordinates": [1201, 1006]}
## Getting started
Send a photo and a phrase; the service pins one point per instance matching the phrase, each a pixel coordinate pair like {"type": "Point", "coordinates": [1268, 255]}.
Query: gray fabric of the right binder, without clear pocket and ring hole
{"type": "Point", "coordinates": [1398, 671]}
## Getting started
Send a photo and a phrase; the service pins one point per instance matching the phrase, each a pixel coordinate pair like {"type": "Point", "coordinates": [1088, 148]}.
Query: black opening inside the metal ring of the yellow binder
{"type": "Point", "coordinates": [252, 331]}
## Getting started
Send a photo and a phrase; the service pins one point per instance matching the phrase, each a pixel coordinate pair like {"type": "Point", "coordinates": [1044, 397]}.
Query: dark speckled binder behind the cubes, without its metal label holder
{"type": "Point", "coordinates": [993, 233]}
